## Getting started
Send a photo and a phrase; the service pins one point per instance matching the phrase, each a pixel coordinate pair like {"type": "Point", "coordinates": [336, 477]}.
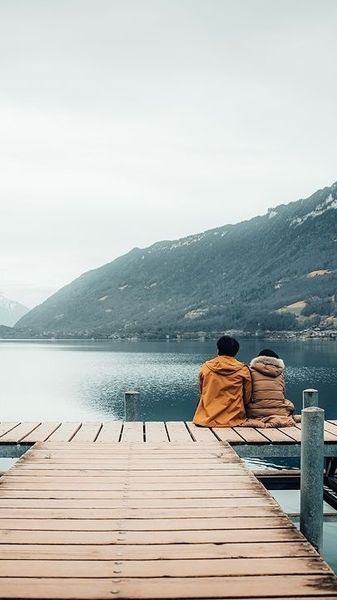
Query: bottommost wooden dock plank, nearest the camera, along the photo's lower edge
{"type": "Point", "coordinates": [322, 585]}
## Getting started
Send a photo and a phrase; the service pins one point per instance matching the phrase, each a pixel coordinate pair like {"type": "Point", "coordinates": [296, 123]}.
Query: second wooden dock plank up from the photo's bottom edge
{"type": "Point", "coordinates": [163, 568]}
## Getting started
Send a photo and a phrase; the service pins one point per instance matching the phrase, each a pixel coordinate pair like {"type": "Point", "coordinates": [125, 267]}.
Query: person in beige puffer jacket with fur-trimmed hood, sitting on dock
{"type": "Point", "coordinates": [268, 402]}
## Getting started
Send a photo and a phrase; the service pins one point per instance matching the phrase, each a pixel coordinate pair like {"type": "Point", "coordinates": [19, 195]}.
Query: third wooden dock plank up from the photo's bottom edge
{"type": "Point", "coordinates": [156, 551]}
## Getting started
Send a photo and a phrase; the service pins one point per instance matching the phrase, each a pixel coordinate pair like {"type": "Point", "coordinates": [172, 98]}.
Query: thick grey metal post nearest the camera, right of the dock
{"type": "Point", "coordinates": [312, 464]}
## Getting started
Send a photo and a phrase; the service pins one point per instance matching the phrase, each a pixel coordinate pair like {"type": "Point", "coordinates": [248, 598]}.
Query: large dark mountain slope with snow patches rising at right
{"type": "Point", "coordinates": [276, 271]}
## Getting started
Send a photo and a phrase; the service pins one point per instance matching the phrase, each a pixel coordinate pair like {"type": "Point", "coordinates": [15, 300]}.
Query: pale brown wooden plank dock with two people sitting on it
{"type": "Point", "coordinates": [179, 516]}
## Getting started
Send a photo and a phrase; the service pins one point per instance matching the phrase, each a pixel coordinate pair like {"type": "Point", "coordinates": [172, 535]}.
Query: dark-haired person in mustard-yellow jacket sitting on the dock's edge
{"type": "Point", "coordinates": [225, 388]}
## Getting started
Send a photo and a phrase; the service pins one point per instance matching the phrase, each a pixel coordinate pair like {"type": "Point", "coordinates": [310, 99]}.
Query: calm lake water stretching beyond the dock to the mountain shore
{"type": "Point", "coordinates": [87, 380]}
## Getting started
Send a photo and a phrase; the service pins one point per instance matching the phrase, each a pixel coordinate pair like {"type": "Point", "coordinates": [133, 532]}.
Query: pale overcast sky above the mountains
{"type": "Point", "coordinates": [124, 122]}
